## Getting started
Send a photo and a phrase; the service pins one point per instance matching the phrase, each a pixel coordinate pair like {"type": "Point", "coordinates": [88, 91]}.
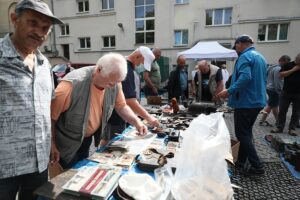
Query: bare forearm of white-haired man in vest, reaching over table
{"type": "Point", "coordinates": [128, 115]}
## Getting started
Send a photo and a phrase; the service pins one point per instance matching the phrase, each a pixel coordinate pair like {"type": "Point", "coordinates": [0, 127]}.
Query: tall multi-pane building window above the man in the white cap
{"type": "Point", "coordinates": [144, 21]}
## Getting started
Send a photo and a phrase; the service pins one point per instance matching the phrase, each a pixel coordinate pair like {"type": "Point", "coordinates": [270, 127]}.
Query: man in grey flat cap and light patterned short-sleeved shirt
{"type": "Point", "coordinates": [25, 96]}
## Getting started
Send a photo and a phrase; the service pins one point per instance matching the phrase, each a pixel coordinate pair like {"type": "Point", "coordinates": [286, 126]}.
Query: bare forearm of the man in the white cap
{"type": "Point", "coordinates": [140, 111]}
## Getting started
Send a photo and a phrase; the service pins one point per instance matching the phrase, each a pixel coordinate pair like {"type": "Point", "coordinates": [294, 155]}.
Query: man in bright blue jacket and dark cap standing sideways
{"type": "Point", "coordinates": [247, 95]}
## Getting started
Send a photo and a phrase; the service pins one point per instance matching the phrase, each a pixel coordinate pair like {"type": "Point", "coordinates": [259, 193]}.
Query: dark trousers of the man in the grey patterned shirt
{"type": "Point", "coordinates": [24, 184]}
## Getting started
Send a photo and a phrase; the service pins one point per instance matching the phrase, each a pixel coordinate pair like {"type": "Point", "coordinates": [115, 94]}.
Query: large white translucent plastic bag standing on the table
{"type": "Point", "coordinates": [201, 171]}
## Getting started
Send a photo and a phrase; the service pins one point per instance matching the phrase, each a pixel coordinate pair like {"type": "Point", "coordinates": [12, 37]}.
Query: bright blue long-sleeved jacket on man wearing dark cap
{"type": "Point", "coordinates": [248, 87]}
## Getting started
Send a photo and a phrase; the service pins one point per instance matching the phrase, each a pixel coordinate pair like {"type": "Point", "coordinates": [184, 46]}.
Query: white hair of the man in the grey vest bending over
{"type": "Point", "coordinates": [113, 63]}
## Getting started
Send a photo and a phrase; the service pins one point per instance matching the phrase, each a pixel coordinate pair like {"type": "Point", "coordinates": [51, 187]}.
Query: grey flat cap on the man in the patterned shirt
{"type": "Point", "coordinates": [38, 6]}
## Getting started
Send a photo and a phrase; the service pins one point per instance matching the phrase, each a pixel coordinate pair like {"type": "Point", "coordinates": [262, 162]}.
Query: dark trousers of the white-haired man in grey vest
{"type": "Point", "coordinates": [82, 153]}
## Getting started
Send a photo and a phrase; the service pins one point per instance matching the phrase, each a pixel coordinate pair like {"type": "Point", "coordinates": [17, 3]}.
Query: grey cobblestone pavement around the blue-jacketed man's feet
{"type": "Point", "coordinates": [278, 182]}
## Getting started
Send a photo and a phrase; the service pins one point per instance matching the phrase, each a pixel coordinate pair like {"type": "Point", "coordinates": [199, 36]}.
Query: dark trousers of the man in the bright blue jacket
{"type": "Point", "coordinates": [243, 123]}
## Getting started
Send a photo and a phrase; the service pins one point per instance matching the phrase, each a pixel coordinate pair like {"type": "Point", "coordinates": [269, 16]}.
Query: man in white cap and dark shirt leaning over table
{"type": "Point", "coordinates": [142, 55]}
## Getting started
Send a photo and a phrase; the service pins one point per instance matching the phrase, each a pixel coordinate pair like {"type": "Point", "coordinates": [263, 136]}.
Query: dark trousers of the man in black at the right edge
{"type": "Point", "coordinates": [284, 103]}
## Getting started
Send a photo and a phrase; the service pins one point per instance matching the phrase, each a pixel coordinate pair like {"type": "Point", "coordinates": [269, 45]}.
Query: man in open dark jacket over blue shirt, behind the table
{"type": "Point", "coordinates": [178, 81]}
